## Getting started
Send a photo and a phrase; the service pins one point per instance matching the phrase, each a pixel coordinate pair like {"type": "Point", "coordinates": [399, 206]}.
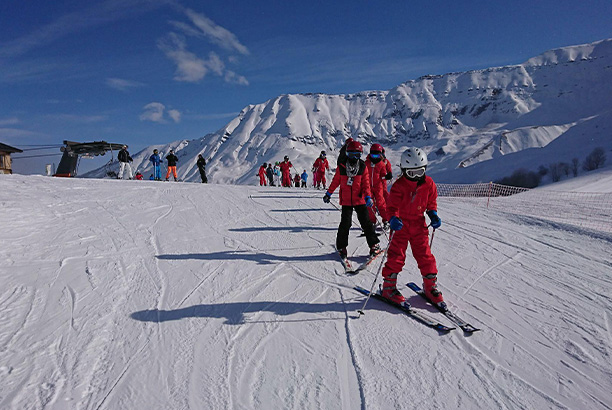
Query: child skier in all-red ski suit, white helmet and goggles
{"type": "Point", "coordinates": [411, 195]}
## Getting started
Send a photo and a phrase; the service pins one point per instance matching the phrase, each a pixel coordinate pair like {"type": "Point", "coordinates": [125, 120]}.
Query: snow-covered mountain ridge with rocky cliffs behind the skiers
{"type": "Point", "coordinates": [476, 126]}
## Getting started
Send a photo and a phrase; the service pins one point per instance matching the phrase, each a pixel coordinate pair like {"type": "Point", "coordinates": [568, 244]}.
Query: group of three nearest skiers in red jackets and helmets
{"type": "Point", "coordinates": [363, 189]}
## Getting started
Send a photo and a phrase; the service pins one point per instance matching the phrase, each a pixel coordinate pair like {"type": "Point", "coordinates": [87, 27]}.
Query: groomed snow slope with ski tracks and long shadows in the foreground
{"type": "Point", "coordinates": [145, 295]}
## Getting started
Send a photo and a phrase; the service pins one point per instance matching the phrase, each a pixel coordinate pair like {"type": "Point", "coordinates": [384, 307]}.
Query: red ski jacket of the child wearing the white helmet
{"type": "Point", "coordinates": [410, 199]}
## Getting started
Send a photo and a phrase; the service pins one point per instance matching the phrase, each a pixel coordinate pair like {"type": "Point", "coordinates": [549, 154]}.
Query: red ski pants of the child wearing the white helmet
{"type": "Point", "coordinates": [416, 234]}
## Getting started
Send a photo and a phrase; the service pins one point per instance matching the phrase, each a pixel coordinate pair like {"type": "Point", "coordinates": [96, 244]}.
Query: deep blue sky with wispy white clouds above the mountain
{"type": "Point", "coordinates": [147, 72]}
